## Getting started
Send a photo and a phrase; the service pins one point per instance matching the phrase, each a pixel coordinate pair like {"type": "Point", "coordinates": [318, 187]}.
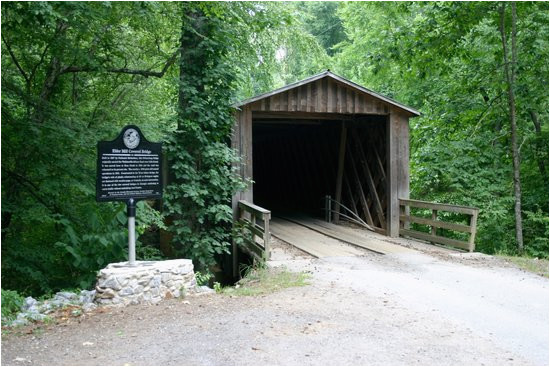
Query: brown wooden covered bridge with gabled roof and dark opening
{"type": "Point", "coordinates": [323, 137]}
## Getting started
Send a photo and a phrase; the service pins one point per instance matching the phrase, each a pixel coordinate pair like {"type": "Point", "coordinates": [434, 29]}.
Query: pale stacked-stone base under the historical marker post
{"type": "Point", "coordinates": [145, 282]}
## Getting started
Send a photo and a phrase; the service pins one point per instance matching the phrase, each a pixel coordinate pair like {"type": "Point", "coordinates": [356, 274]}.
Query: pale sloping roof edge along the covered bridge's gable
{"type": "Point", "coordinates": [328, 73]}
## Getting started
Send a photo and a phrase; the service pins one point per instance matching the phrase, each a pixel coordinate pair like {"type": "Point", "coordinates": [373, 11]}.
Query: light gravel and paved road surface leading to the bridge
{"type": "Point", "coordinates": [431, 307]}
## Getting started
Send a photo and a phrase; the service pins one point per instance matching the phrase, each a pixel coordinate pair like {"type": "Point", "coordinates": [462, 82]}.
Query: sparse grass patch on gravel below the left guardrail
{"type": "Point", "coordinates": [258, 281]}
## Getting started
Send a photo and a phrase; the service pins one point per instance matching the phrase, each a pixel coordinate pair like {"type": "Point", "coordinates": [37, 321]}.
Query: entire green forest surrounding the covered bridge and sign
{"type": "Point", "coordinates": [75, 73]}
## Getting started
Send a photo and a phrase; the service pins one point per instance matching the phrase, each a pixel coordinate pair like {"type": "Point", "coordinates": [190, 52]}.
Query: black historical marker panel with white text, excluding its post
{"type": "Point", "coordinates": [129, 167]}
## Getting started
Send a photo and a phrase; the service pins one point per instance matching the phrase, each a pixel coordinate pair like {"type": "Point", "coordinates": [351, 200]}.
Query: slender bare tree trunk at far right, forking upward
{"type": "Point", "coordinates": [510, 73]}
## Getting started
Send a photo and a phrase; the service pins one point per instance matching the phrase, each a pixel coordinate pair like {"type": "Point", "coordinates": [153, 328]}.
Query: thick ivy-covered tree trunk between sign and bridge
{"type": "Point", "coordinates": [202, 164]}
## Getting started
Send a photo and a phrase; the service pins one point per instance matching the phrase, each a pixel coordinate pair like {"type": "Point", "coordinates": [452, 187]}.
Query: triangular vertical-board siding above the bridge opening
{"type": "Point", "coordinates": [325, 95]}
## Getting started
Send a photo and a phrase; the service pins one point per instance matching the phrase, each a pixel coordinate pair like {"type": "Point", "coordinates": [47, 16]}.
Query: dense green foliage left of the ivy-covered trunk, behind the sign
{"type": "Point", "coordinates": [60, 96]}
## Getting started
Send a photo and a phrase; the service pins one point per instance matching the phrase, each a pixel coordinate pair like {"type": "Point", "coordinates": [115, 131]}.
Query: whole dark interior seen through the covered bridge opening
{"type": "Point", "coordinates": [295, 164]}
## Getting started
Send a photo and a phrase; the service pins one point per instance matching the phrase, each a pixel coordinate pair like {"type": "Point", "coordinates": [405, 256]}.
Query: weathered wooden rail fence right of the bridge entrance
{"type": "Point", "coordinates": [434, 223]}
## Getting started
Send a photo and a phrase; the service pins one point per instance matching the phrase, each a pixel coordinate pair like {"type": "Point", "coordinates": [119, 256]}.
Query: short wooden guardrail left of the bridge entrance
{"type": "Point", "coordinates": [255, 223]}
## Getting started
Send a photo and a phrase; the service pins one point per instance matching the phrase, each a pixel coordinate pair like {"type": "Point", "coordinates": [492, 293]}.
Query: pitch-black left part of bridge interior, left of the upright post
{"type": "Point", "coordinates": [295, 165]}
